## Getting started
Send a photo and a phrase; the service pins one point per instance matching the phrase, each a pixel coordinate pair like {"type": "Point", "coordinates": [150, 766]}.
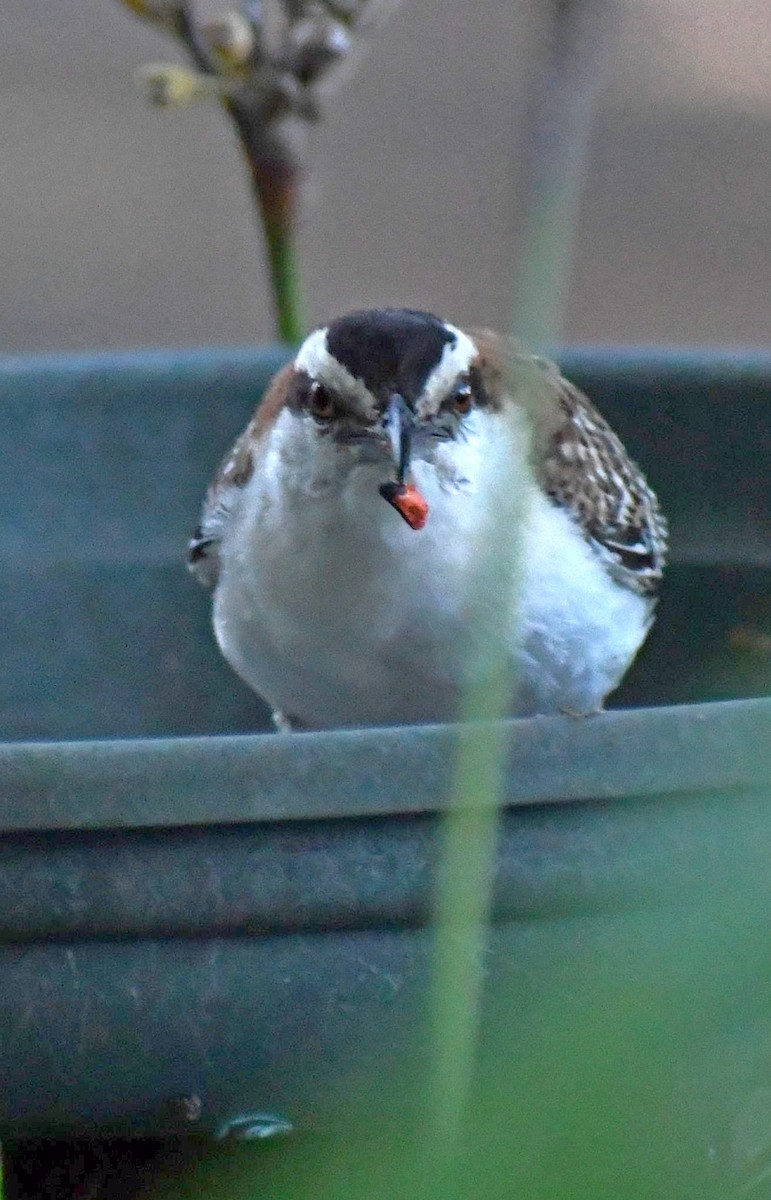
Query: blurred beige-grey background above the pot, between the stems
{"type": "Point", "coordinates": [123, 226]}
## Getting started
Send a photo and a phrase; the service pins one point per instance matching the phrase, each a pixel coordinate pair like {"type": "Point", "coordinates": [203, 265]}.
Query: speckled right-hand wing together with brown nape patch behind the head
{"type": "Point", "coordinates": [582, 464]}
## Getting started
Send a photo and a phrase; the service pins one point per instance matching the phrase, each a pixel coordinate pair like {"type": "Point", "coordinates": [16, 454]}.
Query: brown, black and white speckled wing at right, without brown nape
{"type": "Point", "coordinates": [587, 470]}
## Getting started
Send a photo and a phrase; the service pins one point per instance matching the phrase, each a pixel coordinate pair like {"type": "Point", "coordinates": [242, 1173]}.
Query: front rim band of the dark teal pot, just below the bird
{"type": "Point", "coordinates": [367, 773]}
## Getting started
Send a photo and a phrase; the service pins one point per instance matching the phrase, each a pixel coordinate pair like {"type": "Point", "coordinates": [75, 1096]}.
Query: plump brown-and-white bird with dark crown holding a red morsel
{"type": "Point", "coordinates": [416, 512]}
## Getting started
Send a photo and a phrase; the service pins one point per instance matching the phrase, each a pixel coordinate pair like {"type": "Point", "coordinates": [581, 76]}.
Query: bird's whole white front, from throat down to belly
{"type": "Point", "coordinates": [339, 614]}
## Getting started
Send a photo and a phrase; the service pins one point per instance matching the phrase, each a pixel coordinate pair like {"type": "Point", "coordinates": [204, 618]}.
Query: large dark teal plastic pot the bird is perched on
{"type": "Point", "coordinates": [205, 927]}
